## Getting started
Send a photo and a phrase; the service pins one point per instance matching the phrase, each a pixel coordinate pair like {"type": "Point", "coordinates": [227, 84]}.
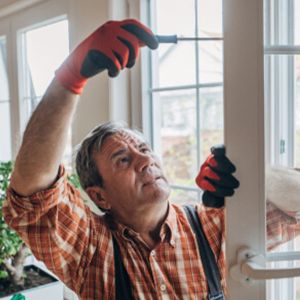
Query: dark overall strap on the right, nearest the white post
{"type": "Point", "coordinates": [207, 257]}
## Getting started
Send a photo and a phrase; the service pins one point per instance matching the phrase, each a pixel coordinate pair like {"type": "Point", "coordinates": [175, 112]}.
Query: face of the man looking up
{"type": "Point", "coordinates": [132, 174]}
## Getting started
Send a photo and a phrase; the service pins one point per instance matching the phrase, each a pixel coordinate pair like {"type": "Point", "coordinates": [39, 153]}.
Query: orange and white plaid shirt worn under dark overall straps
{"type": "Point", "coordinates": [76, 245]}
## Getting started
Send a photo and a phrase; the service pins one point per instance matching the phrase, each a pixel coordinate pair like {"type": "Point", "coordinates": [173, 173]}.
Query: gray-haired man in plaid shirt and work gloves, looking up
{"type": "Point", "coordinates": [124, 178]}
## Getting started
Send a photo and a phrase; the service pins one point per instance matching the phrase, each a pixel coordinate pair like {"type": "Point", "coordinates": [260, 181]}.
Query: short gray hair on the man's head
{"type": "Point", "coordinates": [86, 167]}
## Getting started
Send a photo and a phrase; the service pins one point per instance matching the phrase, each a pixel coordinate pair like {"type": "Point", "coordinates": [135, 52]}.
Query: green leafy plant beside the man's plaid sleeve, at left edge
{"type": "Point", "coordinates": [12, 249]}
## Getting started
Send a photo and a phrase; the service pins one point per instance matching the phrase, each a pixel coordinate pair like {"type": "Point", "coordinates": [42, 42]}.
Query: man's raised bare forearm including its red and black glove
{"type": "Point", "coordinates": [113, 46]}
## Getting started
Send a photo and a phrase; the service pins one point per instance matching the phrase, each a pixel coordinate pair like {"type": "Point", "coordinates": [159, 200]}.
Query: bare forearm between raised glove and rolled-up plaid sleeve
{"type": "Point", "coordinates": [44, 141]}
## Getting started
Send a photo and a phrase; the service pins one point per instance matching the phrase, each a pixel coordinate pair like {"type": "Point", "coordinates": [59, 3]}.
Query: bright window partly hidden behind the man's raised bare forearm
{"type": "Point", "coordinates": [42, 49]}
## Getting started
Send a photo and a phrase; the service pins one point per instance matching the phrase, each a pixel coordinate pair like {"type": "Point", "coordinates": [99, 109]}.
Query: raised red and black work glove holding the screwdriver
{"type": "Point", "coordinates": [113, 46]}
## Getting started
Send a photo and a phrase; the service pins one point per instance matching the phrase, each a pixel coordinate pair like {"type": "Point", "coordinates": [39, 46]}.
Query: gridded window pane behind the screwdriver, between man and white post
{"type": "Point", "coordinates": [186, 90]}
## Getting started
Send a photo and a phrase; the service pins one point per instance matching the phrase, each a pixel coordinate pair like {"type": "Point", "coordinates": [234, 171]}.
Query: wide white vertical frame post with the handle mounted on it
{"type": "Point", "coordinates": [244, 134]}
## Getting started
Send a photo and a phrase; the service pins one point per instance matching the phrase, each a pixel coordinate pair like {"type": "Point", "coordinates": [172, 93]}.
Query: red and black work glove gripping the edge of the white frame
{"type": "Point", "coordinates": [215, 178]}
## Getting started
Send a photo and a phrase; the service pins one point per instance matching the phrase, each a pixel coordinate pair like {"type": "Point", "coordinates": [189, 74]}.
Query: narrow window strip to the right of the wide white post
{"type": "Point", "coordinates": [282, 82]}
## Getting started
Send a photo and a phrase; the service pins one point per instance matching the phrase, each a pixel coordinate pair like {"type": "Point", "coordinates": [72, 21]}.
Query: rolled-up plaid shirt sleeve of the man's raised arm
{"type": "Point", "coordinates": [57, 226]}
